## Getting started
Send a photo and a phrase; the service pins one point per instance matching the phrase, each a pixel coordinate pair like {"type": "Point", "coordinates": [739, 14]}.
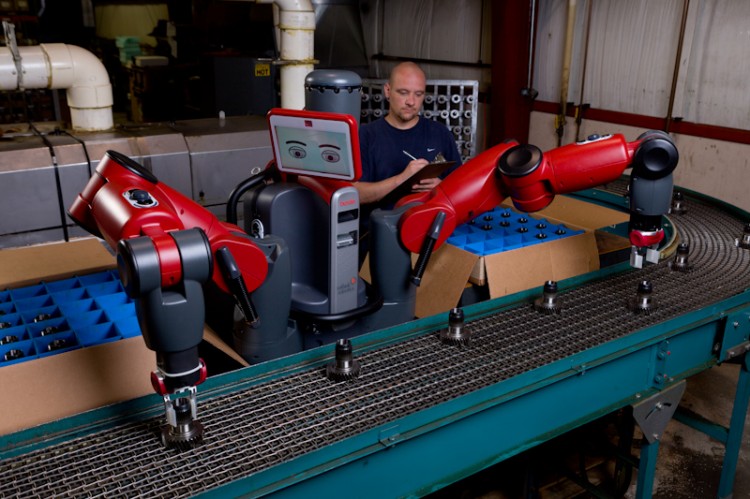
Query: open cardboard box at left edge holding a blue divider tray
{"type": "Point", "coordinates": [51, 387]}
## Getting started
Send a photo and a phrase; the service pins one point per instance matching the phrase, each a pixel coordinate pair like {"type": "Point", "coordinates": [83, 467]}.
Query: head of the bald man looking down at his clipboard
{"type": "Point", "coordinates": [405, 92]}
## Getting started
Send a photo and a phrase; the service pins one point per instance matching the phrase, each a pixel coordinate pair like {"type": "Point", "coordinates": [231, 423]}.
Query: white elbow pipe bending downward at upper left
{"type": "Point", "coordinates": [58, 66]}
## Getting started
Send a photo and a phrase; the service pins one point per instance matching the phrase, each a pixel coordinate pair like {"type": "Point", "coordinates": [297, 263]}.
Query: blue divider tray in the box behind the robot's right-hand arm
{"type": "Point", "coordinates": [504, 229]}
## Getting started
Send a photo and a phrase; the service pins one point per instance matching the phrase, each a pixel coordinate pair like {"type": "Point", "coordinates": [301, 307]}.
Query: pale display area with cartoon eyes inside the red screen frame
{"type": "Point", "coordinates": [313, 150]}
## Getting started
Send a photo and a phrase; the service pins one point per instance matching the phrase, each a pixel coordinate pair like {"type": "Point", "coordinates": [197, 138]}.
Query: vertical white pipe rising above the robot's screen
{"type": "Point", "coordinates": [296, 25]}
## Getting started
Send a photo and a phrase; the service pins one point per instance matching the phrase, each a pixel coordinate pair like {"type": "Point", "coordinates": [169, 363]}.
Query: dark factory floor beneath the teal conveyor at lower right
{"type": "Point", "coordinates": [688, 464]}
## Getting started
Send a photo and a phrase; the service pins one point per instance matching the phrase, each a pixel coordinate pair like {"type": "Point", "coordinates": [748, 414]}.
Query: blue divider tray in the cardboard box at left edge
{"type": "Point", "coordinates": [59, 316]}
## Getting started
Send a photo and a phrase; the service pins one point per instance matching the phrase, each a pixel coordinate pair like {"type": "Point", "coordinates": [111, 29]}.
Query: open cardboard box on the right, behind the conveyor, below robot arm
{"type": "Point", "coordinates": [450, 269]}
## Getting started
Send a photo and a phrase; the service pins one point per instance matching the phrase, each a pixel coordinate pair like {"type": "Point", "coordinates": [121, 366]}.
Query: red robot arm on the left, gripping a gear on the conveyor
{"type": "Point", "coordinates": [168, 247]}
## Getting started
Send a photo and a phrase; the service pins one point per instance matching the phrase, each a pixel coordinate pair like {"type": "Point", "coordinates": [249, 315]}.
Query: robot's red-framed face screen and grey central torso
{"type": "Point", "coordinates": [321, 150]}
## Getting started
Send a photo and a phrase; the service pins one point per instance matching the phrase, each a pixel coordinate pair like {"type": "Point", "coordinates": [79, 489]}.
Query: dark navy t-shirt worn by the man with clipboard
{"type": "Point", "coordinates": [382, 147]}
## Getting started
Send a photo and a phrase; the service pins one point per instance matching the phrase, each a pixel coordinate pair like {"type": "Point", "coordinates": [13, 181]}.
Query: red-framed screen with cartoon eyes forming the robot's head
{"type": "Point", "coordinates": [317, 147]}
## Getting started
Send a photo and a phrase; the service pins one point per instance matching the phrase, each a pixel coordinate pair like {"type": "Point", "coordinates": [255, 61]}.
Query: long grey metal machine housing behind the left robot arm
{"type": "Point", "coordinates": [202, 159]}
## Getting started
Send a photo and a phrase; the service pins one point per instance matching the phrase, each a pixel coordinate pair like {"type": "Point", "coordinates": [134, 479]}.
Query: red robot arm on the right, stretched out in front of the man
{"type": "Point", "coordinates": [532, 179]}
